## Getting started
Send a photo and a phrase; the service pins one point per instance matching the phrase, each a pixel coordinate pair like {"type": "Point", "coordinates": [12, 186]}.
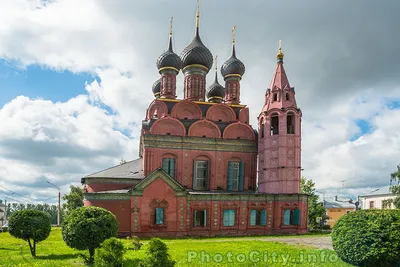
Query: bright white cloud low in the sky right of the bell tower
{"type": "Point", "coordinates": [365, 163]}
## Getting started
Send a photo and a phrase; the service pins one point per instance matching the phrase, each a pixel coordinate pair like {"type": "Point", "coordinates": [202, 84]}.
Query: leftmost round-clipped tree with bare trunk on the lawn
{"type": "Point", "coordinates": [33, 226]}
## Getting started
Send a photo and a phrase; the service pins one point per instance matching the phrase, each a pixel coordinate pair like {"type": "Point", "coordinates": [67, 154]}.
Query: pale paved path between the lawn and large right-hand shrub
{"type": "Point", "coordinates": [321, 242]}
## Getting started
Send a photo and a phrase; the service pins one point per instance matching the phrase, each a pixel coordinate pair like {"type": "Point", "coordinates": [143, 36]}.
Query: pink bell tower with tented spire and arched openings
{"type": "Point", "coordinates": [279, 144]}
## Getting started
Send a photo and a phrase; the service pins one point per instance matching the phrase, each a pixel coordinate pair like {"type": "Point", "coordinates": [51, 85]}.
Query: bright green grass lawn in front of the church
{"type": "Point", "coordinates": [186, 252]}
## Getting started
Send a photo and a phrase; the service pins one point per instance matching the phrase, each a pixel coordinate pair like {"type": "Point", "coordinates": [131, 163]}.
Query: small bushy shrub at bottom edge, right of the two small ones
{"type": "Point", "coordinates": [158, 255]}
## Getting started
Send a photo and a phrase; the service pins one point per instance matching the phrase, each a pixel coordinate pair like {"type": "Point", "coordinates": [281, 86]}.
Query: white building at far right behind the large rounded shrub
{"type": "Point", "coordinates": [374, 200]}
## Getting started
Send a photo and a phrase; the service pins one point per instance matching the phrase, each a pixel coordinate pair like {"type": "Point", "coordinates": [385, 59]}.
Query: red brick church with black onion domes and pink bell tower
{"type": "Point", "coordinates": [202, 169]}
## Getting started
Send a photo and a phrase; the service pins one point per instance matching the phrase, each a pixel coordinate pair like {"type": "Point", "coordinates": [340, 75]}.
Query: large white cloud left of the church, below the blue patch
{"type": "Point", "coordinates": [61, 142]}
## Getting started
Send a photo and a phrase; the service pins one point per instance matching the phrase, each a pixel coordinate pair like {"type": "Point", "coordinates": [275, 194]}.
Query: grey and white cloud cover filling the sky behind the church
{"type": "Point", "coordinates": [342, 62]}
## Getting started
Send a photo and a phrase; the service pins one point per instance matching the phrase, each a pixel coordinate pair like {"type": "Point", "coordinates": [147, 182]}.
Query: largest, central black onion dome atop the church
{"type": "Point", "coordinates": [197, 53]}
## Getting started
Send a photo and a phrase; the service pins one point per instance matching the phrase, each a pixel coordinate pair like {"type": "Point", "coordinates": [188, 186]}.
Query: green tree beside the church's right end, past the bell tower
{"type": "Point", "coordinates": [315, 208]}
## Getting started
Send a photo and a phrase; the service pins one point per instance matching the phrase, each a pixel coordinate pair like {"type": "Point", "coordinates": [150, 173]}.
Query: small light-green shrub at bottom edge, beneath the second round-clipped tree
{"type": "Point", "coordinates": [110, 254]}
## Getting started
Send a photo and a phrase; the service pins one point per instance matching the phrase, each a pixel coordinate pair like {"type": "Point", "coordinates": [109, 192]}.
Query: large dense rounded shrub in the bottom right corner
{"type": "Point", "coordinates": [368, 238]}
